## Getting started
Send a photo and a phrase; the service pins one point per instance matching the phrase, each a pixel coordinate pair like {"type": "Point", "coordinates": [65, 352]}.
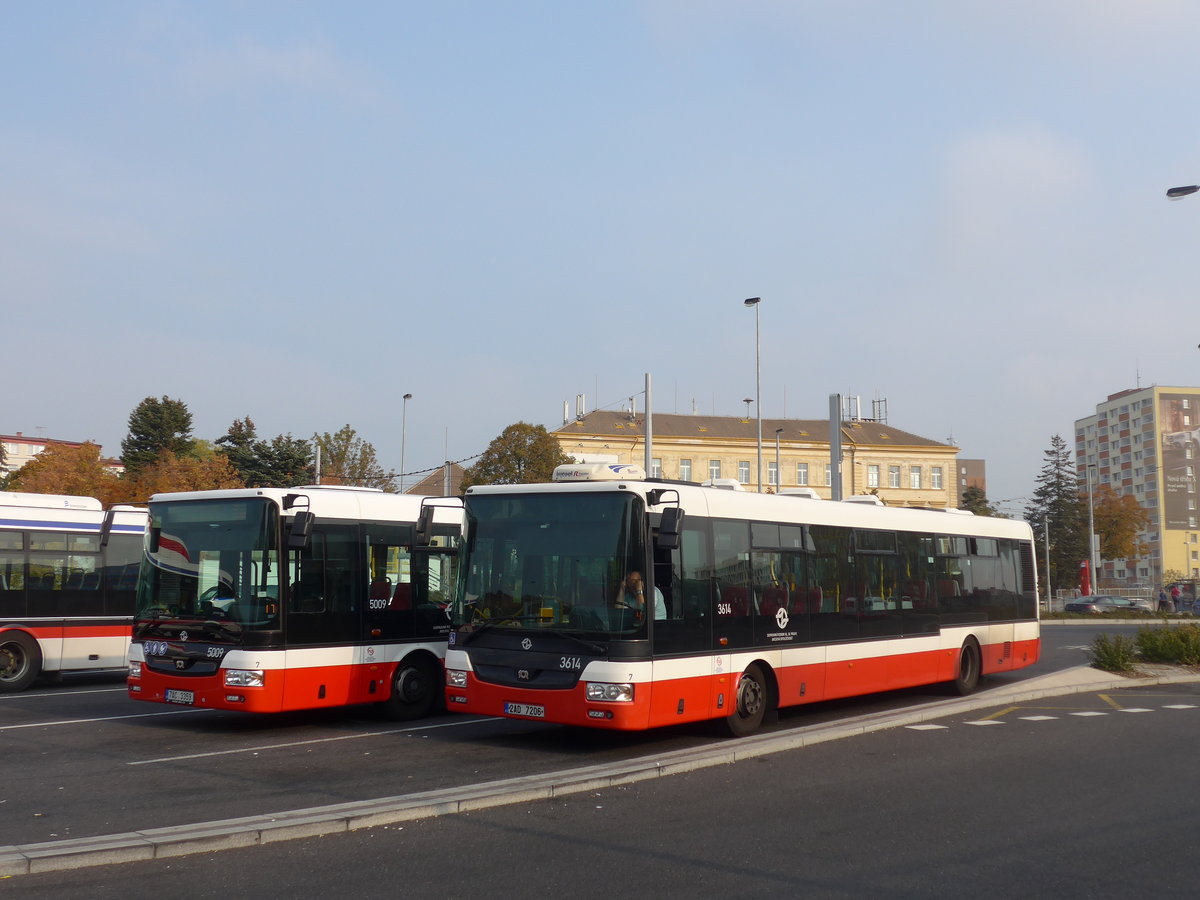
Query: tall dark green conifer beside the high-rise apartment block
{"type": "Point", "coordinates": [1059, 515]}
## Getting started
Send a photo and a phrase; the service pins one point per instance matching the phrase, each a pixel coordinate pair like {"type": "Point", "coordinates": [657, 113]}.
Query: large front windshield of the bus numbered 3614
{"type": "Point", "coordinates": [553, 561]}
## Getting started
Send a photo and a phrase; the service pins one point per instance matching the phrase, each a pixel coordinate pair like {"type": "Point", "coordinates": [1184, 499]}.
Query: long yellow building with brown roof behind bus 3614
{"type": "Point", "coordinates": [902, 469]}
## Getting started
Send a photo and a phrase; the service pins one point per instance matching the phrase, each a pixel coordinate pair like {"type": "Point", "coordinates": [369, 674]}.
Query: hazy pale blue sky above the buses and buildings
{"type": "Point", "coordinates": [301, 212]}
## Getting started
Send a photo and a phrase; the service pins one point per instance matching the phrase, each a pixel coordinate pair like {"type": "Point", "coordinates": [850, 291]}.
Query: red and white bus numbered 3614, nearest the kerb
{"type": "Point", "coordinates": [751, 602]}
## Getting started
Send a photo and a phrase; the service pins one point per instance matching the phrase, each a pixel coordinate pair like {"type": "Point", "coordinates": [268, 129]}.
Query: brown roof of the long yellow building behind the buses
{"type": "Point", "coordinates": [608, 424]}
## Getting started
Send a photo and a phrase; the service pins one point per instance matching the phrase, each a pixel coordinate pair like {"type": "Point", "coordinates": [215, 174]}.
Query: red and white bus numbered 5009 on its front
{"type": "Point", "coordinates": [280, 599]}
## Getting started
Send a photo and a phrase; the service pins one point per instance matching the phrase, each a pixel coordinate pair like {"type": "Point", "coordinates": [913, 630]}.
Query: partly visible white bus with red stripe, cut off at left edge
{"type": "Point", "coordinates": [68, 573]}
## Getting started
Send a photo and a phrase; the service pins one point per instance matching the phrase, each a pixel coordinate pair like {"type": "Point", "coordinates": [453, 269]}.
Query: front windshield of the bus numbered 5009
{"type": "Point", "coordinates": [214, 561]}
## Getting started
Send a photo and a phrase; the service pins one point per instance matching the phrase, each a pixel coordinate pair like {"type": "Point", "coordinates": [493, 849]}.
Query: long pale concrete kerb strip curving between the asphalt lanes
{"type": "Point", "coordinates": [207, 837]}
